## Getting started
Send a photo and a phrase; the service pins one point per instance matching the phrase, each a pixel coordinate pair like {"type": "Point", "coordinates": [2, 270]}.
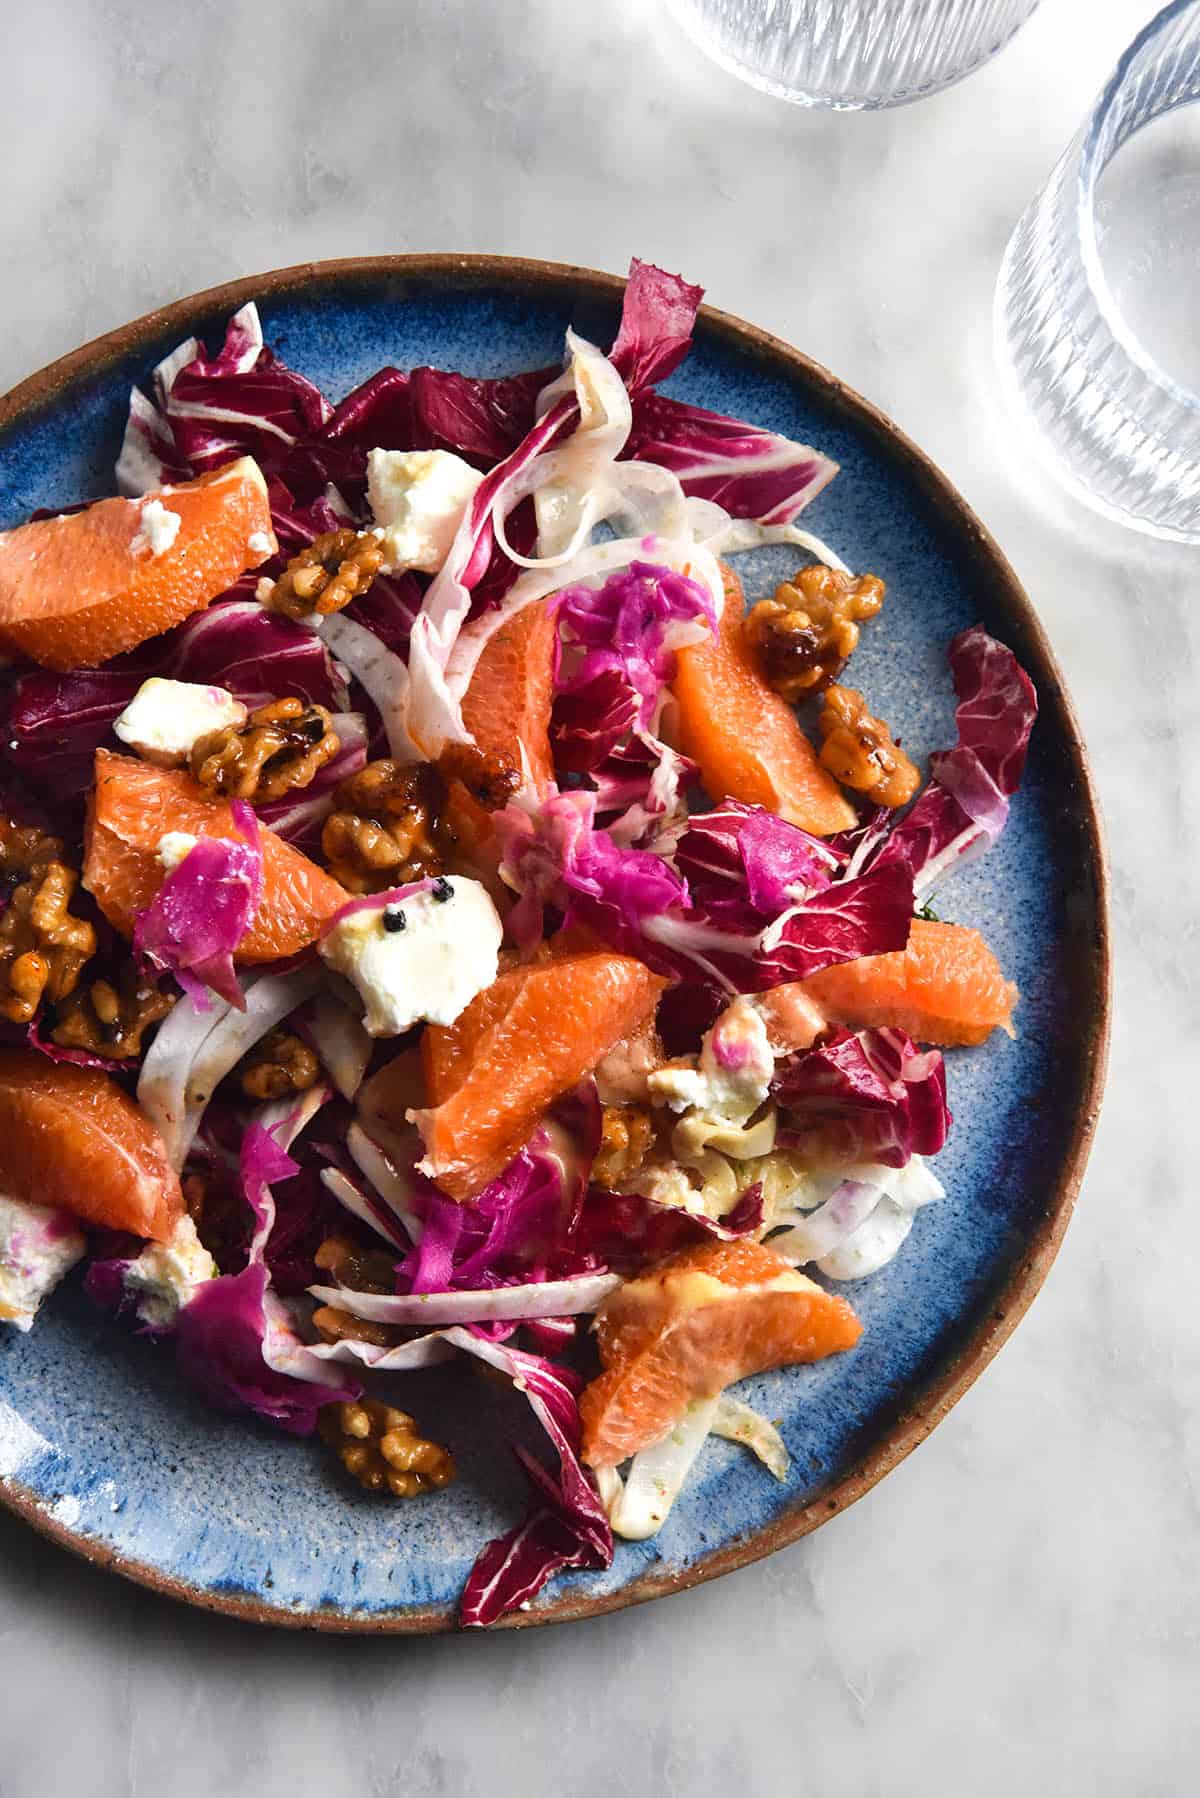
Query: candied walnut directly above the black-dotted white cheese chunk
{"type": "Point", "coordinates": [382, 828]}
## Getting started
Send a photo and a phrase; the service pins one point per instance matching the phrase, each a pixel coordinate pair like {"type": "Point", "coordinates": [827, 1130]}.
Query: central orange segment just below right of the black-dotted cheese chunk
{"type": "Point", "coordinates": [517, 1047]}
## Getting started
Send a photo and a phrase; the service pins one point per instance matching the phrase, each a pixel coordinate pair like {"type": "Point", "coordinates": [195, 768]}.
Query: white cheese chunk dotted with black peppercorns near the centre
{"type": "Point", "coordinates": [422, 959]}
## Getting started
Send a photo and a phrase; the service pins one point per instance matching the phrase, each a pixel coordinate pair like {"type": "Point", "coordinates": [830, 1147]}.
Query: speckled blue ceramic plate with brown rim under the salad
{"type": "Point", "coordinates": [100, 1445]}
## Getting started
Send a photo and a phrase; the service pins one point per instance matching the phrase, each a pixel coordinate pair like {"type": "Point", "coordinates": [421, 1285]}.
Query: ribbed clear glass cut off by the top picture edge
{"type": "Point", "coordinates": [852, 55]}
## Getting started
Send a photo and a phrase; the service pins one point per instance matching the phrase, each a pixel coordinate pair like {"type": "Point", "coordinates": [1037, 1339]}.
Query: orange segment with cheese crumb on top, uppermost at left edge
{"type": "Point", "coordinates": [82, 589]}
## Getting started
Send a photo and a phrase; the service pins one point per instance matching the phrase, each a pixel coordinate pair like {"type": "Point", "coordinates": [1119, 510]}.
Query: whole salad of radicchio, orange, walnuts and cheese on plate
{"type": "Point", "coordinates": [443, 923]}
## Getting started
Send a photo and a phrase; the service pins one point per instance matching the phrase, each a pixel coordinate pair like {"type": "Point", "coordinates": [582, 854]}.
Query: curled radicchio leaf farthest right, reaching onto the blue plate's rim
{"type": "Point", "coordinates": [965, 806]}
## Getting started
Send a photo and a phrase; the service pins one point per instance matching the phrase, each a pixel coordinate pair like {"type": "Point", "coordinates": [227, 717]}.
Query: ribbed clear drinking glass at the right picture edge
{"type": "Point", "coordinates": [1098, 303]}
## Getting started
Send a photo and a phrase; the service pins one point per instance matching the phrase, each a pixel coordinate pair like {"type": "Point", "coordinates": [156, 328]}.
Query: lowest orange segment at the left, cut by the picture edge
{"type": "Point", "coordinates": [71, 1137]}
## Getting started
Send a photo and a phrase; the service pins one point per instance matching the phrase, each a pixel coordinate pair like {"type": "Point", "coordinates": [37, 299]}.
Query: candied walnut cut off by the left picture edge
{"type": "Point", "coordinates": [42, 945]}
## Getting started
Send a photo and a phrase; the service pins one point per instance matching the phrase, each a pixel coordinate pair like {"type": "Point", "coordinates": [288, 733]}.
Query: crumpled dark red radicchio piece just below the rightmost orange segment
{"type": "Point", "coordinates": [863, 1098]}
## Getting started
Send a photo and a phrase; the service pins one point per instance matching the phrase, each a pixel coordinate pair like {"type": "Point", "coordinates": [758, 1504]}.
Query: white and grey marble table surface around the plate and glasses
{"type": "Point", "coordinates": [1017, 1608]}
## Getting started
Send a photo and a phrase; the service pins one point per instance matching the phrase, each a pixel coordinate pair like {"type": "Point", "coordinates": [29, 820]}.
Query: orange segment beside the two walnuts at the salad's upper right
{"type": "Point", "coordinates": [746, 738]}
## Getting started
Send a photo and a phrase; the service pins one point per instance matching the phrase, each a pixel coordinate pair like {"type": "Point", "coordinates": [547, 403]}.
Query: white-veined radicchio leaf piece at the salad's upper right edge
{"type": "Point", "coordinates": [748, 472]}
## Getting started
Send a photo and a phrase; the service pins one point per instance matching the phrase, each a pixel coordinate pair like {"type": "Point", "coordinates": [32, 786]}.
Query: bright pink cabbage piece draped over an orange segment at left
{"type": "Point", "coordinates": [202, 912]}
